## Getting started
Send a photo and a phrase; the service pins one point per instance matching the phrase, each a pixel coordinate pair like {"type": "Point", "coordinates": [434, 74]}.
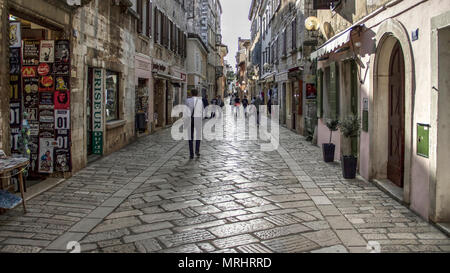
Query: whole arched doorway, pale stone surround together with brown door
{"type": "Point", "coordinates": [391, 109]}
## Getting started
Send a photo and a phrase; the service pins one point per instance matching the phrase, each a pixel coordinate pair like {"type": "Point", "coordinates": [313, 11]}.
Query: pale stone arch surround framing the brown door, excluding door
{"type": "Point", "coordinates": [389, 33]}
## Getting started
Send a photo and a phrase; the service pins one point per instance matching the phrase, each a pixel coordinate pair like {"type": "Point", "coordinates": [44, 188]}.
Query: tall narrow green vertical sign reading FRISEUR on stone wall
{"type": "Point", "coordinates": [98, 112]}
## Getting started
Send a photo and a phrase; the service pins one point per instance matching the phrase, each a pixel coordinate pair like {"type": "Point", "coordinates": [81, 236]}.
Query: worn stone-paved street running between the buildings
{"type": "Point", "coordinates": [149, 197]}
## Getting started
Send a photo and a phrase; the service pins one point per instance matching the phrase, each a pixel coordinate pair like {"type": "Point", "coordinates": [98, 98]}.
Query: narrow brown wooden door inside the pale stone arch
{"type": "Point", "coordinates": [396, 117]}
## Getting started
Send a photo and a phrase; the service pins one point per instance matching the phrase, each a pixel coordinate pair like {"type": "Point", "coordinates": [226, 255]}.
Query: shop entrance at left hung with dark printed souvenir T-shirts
{"type": "Point", "coordinates": [40, 98]}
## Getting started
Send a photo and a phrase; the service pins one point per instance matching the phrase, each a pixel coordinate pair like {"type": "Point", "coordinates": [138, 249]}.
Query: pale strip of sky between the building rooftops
{"type": "Point", "coordinates": [235, 24]}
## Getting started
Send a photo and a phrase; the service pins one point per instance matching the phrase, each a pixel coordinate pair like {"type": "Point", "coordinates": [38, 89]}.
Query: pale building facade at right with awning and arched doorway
{"type": "Point", "coordinates": [383, 64]}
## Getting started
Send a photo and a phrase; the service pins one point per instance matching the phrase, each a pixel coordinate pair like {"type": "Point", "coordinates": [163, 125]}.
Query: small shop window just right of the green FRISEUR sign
{"type": "Point", "coordinates": [112, 96]}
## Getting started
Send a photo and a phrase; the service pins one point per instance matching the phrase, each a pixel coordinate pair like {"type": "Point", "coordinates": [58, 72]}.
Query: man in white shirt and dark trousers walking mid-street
{"type": "Point", "coordinates": [195, 104]}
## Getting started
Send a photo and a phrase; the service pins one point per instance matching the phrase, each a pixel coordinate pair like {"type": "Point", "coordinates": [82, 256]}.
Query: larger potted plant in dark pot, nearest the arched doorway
{"type": "Point", "coordinates": [350, 128]}
